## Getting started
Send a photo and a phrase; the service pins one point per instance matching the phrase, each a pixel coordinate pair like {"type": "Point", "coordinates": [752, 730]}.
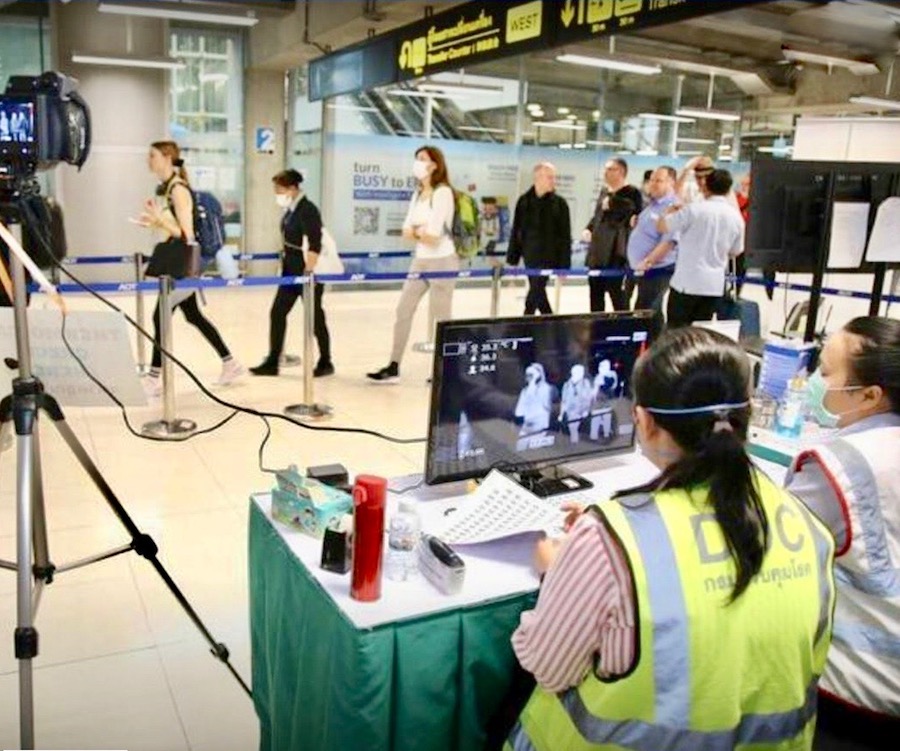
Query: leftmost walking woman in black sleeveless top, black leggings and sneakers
{"type": "Point", "coordinates": [174, 216]}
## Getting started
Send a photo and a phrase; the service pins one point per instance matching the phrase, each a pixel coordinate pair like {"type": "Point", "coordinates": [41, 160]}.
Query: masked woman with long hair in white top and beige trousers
{"type": "Point", "coordinates": [428, 222]}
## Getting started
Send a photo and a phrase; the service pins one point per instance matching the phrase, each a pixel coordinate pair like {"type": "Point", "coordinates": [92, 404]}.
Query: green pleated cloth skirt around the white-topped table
{"type": "Point", "coordinates": [321, 684]}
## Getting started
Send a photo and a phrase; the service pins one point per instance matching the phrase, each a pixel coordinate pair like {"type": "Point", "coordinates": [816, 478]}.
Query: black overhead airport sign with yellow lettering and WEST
{"type": "Point", "coordinates": [480, 31]}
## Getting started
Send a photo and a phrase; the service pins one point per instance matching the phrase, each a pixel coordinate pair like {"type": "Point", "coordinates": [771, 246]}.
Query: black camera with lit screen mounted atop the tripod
{"type": "Point", "coordinates": [43, 121]}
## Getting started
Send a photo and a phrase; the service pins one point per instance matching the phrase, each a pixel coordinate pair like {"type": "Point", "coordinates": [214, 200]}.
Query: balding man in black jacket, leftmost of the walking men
{"type": "Point", "coordinates": [541, 236]}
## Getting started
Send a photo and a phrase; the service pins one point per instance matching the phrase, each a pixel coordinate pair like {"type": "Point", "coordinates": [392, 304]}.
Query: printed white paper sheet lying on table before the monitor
{"type": "Point", "coordinates": [502, 508]}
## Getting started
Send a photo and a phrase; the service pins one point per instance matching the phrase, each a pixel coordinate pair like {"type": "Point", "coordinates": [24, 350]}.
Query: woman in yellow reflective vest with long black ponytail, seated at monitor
{"type": "Point", "coordinates": [691, 612]}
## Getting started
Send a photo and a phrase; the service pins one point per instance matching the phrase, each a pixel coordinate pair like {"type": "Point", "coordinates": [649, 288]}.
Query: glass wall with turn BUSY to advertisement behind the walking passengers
{"type": "Point", "coordinates": [495, 121]}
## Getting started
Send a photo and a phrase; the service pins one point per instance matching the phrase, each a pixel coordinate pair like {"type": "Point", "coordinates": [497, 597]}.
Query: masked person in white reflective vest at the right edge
{"type": "Point", "coordinates": [852, 483]}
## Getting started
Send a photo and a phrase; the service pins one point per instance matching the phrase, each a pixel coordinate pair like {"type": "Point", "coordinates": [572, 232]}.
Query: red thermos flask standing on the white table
{"type": "Point", "coordinates": [369, 498]}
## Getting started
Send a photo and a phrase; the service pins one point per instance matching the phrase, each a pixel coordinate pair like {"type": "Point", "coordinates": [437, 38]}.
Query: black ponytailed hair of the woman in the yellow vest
{"type": "Point", "coordinates": [694, 368]}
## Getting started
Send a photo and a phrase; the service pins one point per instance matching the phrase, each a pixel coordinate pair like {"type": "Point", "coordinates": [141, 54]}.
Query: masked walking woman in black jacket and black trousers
{"type": "Point", "coordinates": [300, 219]}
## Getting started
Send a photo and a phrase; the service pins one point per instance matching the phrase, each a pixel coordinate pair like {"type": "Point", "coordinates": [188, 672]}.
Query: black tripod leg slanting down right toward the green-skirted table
{"type": "Point", "coordinates": [141, 543]}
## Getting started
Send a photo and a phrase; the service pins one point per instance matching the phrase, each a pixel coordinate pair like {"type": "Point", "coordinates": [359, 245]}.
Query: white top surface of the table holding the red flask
{"type": "Point", "coordinates": [494, 570]}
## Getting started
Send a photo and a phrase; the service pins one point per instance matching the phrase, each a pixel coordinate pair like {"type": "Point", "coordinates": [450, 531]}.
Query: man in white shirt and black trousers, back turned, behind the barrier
{"type": "Point", "coordinates": [709, 233]}
